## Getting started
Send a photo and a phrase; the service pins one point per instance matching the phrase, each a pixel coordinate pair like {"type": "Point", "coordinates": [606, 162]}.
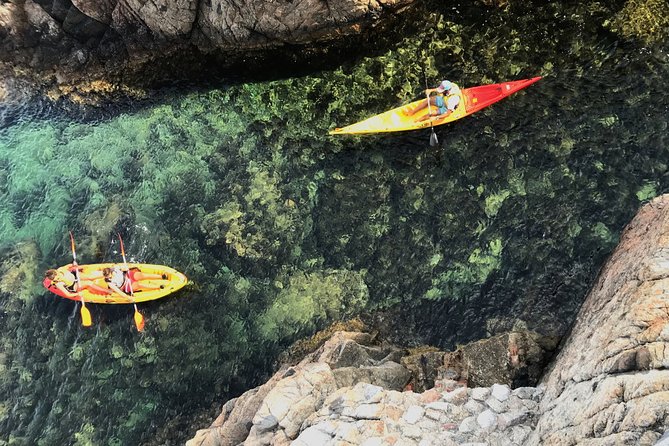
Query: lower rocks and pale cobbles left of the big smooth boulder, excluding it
{"type": "Point", "coordinates": [351, 389]}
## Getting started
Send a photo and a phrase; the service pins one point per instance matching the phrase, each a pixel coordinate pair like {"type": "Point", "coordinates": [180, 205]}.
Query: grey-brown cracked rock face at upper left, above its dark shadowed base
{"type": "Point", "coordinates": [74, 40]}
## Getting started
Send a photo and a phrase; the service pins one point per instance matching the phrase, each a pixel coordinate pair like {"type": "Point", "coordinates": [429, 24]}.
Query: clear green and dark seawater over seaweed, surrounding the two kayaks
{"type": "Point", "coordinates": [283, 229]}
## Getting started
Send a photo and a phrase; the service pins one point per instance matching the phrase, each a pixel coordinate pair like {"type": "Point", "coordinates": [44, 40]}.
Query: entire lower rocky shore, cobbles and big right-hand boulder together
{"type": "Point", "coordinates": [607, 386]}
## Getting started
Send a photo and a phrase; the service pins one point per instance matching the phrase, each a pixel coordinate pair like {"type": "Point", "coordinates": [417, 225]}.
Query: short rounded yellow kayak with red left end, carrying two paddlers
{"type": "Point", "coordinates": [173, 282]}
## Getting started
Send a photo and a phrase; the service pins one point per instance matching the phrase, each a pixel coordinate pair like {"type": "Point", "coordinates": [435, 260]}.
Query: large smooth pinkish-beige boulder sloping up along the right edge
{"type": "Point", "coordinates": [610, 383]}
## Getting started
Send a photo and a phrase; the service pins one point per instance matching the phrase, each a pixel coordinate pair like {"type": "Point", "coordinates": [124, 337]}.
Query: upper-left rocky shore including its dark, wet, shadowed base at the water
{"type": "Point", "coordinates": [88, 50]}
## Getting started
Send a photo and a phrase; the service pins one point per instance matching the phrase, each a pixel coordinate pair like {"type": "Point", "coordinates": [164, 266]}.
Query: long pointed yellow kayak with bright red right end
{"type": "Point", "coordinates": [398, 119]}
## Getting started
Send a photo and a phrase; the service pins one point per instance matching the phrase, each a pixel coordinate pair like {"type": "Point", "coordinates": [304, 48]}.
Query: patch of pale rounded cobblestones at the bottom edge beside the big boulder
{"type": "Point", "coordinates": [448, 415]}
